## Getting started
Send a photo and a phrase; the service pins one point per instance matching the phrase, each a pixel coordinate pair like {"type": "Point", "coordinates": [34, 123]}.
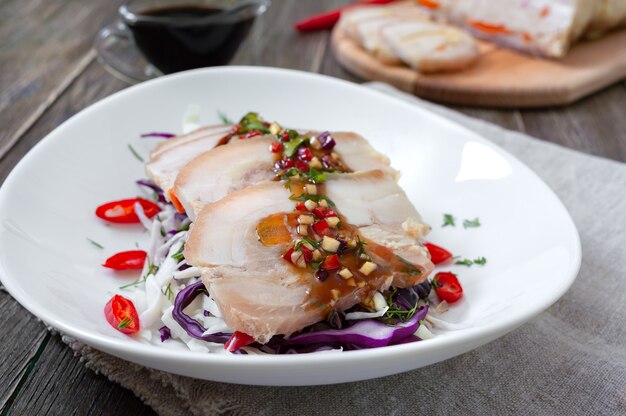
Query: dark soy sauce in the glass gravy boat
{"type": "Point", "coordinates": [184, 42]}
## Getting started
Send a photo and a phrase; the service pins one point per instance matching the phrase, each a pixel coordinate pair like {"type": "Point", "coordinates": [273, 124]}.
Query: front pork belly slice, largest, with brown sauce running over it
{"type": "Point", "coordinates": [261, 294]}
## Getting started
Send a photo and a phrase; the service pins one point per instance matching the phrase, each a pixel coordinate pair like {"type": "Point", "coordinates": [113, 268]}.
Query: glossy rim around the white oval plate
{"type": "Point", "coordinates": [114, 347]}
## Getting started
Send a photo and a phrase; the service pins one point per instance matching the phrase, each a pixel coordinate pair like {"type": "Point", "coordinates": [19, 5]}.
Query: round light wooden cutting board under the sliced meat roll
{"type": "Point", "coordinates": [501, 77]}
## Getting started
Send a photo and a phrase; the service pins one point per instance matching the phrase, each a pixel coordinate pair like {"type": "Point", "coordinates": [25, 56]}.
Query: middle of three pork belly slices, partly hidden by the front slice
{"type": "Point", "coordinates": [242, 163]}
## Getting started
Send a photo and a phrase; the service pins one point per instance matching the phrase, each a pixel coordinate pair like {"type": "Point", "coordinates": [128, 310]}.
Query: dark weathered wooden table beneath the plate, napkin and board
{"type": "Point", "coordinates": [48, 72]}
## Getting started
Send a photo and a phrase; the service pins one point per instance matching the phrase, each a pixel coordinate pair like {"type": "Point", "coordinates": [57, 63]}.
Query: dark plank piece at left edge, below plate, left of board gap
{"type": "Point", "coordinates": [22, 336]}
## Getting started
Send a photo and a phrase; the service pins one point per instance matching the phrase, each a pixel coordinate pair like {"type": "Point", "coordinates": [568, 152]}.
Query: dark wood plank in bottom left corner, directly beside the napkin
{"type": "Point", "coordinates": [59, 384]}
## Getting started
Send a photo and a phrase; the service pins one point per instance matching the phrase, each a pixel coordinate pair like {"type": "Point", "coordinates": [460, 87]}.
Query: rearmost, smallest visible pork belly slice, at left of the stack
{"type": "Point", "coordinates": [171, 155]}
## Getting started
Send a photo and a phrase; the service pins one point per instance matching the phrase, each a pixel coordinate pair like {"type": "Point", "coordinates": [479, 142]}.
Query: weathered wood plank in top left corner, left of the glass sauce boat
{"type": "Point", "coordinates": [45, 46]}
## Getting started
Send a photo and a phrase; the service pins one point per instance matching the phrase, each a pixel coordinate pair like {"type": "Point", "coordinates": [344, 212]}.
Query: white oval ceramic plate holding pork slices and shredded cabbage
{"type": "Point", "coordinates": [47, 212]}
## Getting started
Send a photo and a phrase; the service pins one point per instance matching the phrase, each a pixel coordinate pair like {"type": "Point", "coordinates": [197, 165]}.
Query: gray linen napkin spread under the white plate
{"type": "Point", "coordinates": [571, 360]}
